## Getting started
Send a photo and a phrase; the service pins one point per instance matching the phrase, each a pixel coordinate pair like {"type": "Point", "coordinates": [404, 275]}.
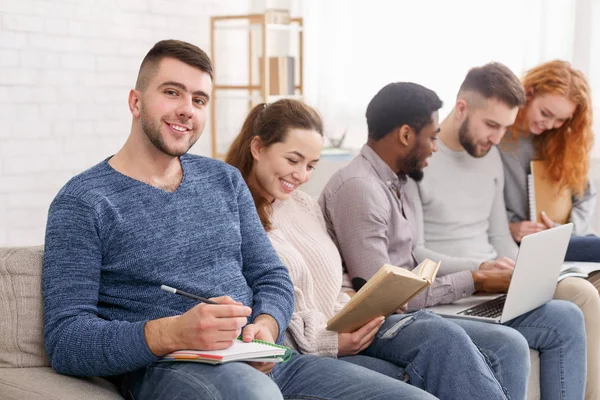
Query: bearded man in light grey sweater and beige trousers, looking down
{"type": "Point", "coordinates": [459, 204]}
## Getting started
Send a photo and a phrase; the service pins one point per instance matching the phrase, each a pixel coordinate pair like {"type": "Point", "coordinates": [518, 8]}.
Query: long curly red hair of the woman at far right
{"type": "Point", "coordinates": [567, 148]}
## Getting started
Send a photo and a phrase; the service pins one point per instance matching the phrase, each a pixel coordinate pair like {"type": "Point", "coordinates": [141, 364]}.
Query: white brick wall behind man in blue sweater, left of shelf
{"type": "Point", "coordinates": [66, 67]}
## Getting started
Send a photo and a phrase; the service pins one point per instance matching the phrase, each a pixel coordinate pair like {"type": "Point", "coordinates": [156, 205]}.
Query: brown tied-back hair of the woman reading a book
{"type": "Point", "coordinates": [270, 122]}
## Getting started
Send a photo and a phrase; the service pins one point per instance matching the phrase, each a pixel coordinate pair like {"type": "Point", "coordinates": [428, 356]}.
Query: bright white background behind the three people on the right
{"type": "Point", "coordinates": [353, 48]}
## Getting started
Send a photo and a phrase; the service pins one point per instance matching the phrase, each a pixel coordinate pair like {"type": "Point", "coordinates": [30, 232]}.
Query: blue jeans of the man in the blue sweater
{"type": "Point", "coordinates": [303, 377]}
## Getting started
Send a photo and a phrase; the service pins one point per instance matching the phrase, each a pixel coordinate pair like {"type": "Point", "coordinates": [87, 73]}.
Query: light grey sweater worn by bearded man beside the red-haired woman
{"type": "Point", "coordinates": [460, 211]}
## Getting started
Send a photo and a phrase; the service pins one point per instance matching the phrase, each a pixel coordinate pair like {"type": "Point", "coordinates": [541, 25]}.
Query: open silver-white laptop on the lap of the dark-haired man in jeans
{"type": "Point", "coordinates": [537, 267]}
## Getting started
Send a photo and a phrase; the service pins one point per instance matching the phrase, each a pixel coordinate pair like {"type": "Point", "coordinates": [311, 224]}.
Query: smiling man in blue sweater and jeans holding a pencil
{"type": "Point", "coordinates": [153, 215]}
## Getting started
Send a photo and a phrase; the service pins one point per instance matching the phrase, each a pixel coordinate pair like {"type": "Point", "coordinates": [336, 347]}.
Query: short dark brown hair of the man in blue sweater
{"type": "Point", "coordinates": [177, 49]}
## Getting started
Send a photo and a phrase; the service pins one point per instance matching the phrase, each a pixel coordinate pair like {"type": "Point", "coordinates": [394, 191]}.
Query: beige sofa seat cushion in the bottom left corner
{"type": "Point", "coordinates": [43, 383]}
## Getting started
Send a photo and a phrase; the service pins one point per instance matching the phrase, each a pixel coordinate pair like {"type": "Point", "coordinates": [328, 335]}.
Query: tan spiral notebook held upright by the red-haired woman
{"type": "Point", "coordinates": [546, 195]}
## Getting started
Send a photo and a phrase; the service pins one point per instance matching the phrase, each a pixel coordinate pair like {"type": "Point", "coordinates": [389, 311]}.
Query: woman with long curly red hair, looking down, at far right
{"type": "Point", "coordinates": [555, 127]}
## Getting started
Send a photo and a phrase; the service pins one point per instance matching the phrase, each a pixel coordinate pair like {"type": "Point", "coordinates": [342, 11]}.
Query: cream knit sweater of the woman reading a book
{"type": "Point", "coordinates": [301, 240]}
